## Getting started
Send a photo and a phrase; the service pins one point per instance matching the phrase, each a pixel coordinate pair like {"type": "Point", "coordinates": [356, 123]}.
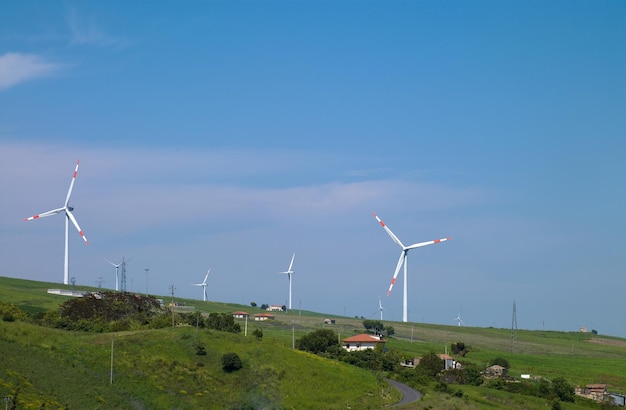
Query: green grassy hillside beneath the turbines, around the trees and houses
{"type": "Point", "coordinates": [160, 369]}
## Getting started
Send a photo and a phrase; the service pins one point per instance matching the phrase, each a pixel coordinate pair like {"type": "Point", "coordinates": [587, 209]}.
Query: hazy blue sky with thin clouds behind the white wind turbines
{"type": "Point", "coordinates": [232, 134]}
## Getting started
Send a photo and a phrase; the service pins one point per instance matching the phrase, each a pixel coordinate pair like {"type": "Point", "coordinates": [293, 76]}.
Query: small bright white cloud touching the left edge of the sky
{"type": "Point", "coordinates": [16, 68]}
